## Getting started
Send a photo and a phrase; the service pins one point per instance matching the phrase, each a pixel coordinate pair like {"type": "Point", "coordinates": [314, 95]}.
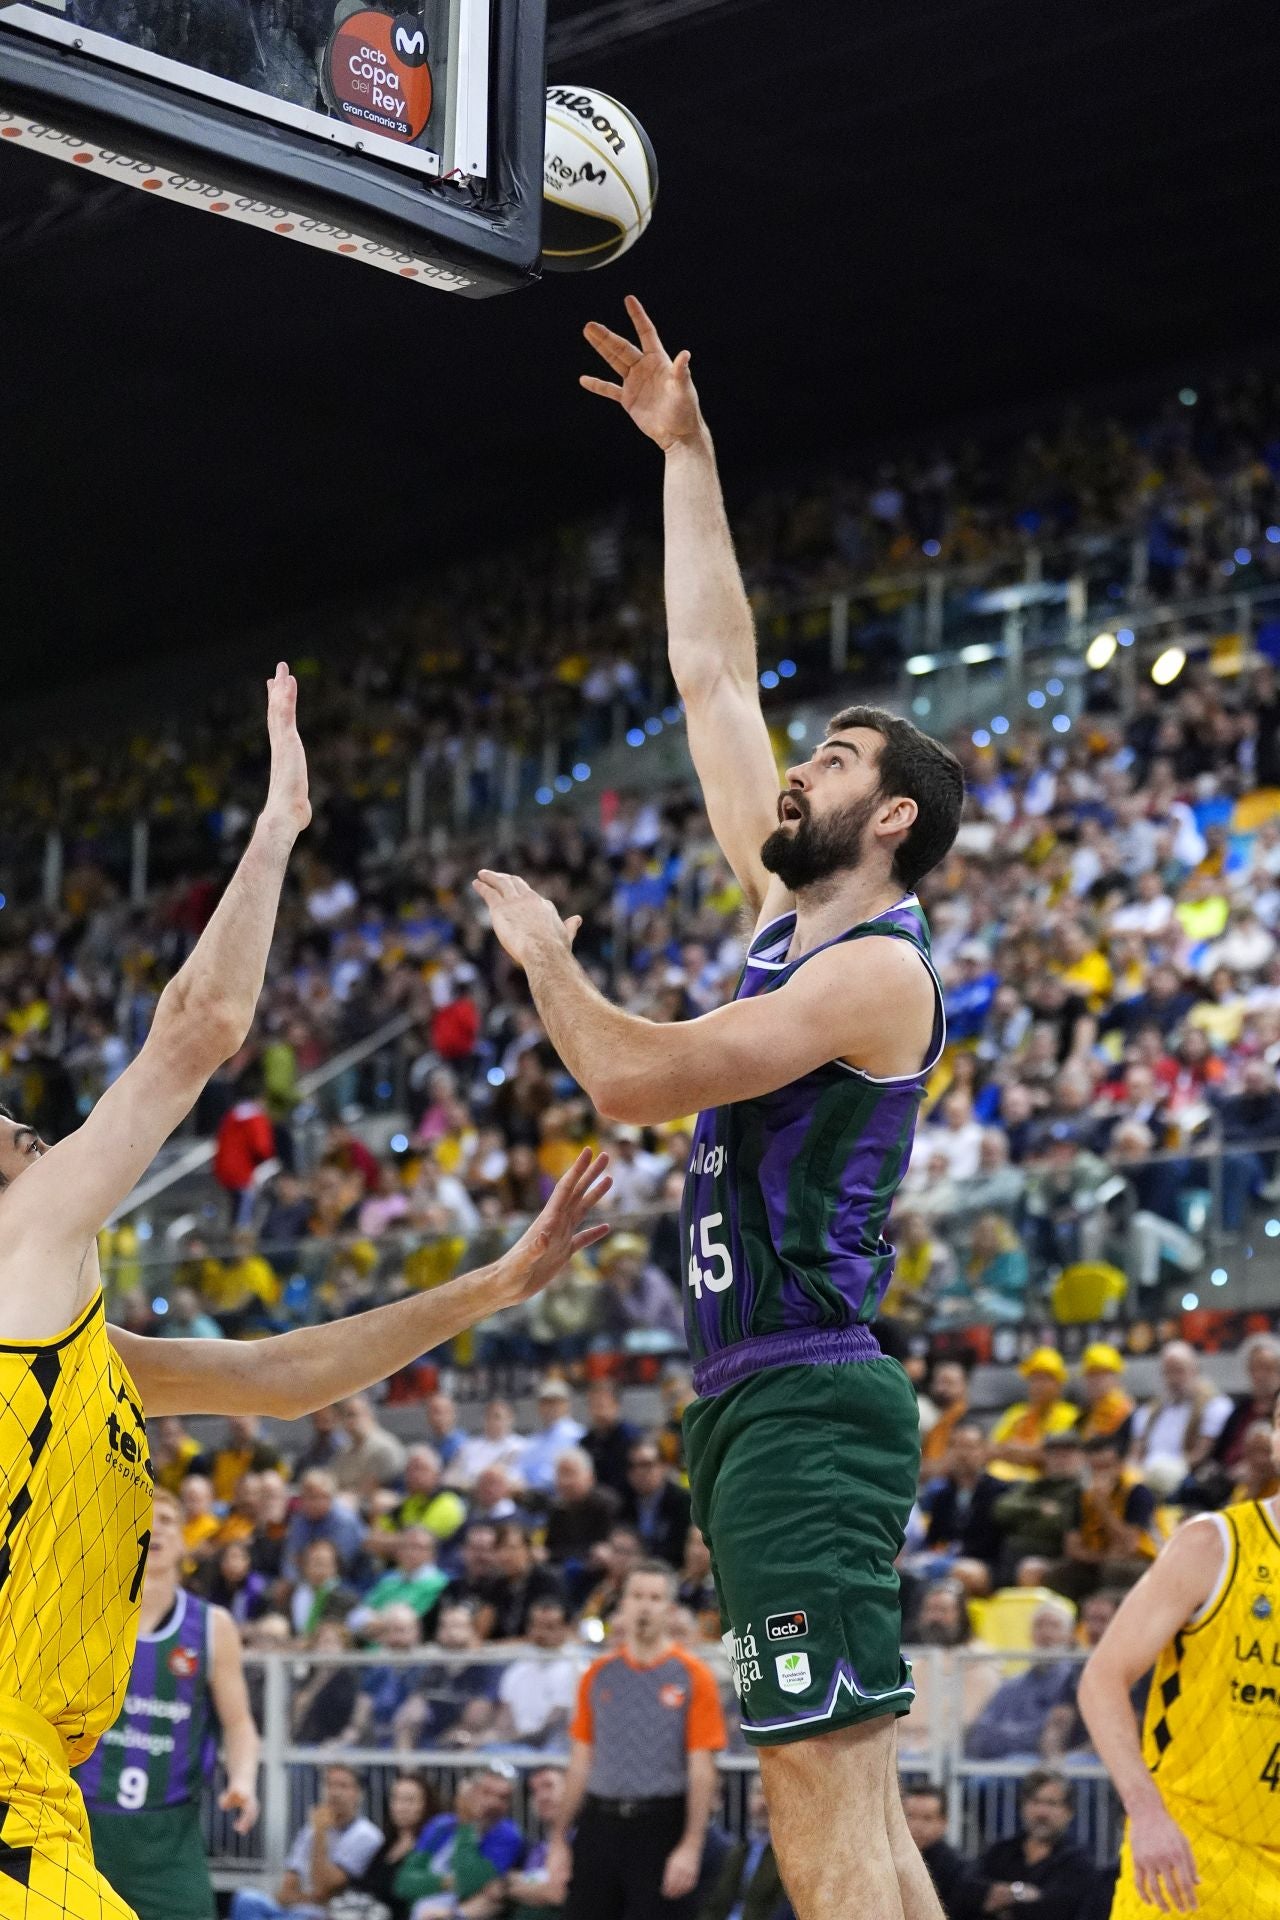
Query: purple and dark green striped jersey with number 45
{"type": "Point", "coordinates": [788, 1195]}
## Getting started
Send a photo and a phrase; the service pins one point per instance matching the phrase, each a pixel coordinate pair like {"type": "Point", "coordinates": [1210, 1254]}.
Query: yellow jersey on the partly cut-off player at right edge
{"type": "Point", "coordinates": [1212, 1731]}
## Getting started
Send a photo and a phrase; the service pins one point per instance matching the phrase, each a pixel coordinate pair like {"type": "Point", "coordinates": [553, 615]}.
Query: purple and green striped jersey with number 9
{"type": "Point", "coordinates": [162, 1746]}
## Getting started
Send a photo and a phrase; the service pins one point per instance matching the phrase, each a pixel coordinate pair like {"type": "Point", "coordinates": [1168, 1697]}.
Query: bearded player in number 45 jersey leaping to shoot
{"type": "Point", "coordinates": [805, 1441]}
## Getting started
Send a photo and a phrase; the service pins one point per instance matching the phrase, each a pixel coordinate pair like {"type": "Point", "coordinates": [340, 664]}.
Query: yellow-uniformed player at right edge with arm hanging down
{"type": "Point", "coordinates": [1202, 1783]}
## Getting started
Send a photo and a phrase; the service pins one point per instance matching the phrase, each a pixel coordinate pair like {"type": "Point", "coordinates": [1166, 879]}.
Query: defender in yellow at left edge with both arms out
{"type": "Point", "coordinates": [76, 1477]}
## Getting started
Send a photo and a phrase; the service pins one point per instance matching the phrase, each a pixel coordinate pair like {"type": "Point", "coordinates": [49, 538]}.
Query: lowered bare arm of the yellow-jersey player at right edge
{"type": "Point", "coordinates": [1152, 1614]}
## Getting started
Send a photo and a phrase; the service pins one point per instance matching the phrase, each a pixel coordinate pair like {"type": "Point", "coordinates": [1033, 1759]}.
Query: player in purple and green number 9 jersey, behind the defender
{"type": "Point", "coordinates": [145, 1781]}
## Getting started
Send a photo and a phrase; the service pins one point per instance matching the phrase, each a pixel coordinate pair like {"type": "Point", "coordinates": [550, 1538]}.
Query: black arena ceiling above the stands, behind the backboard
{"type": "Point", "coordinates": [874, 218]}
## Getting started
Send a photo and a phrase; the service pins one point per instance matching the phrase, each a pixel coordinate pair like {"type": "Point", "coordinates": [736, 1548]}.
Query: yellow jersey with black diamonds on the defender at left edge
{"type": "Point", "coordinates": [76, 1516]}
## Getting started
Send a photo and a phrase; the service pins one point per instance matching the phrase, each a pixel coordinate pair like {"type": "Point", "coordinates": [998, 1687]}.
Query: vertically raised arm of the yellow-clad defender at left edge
{"type": "Point", "coordinates": [51, 1214]}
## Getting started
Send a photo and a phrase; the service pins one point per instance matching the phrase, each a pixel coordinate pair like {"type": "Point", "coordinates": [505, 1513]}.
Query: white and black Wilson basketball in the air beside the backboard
{"type": "Point", "coordinates": [600, 180]}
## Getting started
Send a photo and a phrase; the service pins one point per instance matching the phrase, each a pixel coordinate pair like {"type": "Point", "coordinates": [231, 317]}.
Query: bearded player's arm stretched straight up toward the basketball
{"type": "Point", "coordinates": [711, 631]}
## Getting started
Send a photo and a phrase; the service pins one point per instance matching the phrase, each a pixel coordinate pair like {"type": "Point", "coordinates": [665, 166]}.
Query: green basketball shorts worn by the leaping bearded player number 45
{"type": "Point", "coordinates": [803, 1481]}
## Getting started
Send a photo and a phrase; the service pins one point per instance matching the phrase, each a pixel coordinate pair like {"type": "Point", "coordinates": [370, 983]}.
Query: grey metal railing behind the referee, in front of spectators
{"type": "Point", "coordinates": [932, 1746]}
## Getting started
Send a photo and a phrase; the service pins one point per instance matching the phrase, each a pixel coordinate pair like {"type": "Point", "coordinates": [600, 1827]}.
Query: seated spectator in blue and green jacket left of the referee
{"type": "Point", "coordinates": [462, 1854]}
